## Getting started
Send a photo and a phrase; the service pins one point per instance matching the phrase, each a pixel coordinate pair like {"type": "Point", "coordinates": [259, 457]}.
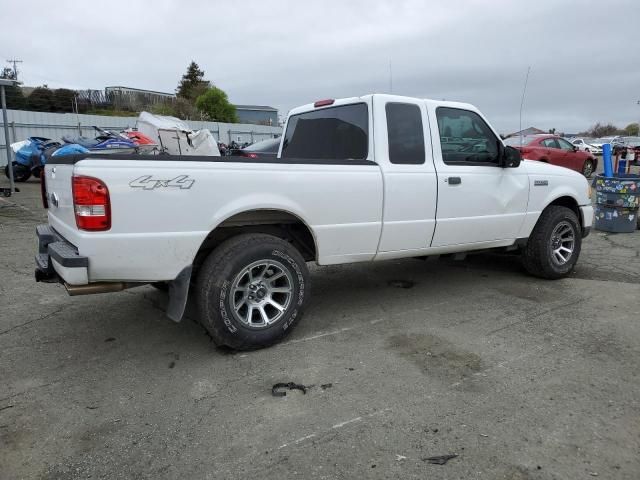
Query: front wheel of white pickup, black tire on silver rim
{"type": "Point", "coordinates": [538, 255]}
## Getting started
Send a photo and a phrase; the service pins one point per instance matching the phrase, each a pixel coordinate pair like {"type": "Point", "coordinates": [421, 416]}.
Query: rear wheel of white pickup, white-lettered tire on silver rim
{"type": "Point", "coordinates": [225, 268]}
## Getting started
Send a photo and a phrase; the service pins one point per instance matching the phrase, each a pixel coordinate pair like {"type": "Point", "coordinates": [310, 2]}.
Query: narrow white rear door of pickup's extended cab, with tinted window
{"type": "Point", "coordinates": [403, 150]}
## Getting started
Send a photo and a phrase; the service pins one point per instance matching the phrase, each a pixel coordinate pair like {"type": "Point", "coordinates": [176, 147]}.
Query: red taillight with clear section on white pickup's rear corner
{"type": "Point", "coordinates": [91, 204]}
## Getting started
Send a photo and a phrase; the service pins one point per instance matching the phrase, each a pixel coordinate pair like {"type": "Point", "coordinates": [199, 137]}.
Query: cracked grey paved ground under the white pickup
{"type": "Point", "coordinates": [521, 378]}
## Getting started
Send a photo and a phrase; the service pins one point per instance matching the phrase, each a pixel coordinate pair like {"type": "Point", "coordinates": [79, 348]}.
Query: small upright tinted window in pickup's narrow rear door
{"type": "Point", "coordinates": [406, 136]}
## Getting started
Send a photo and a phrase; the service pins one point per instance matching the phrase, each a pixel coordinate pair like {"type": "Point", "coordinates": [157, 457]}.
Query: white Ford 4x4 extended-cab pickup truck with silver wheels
{"type": "Point", "coordinates": [356, 180]}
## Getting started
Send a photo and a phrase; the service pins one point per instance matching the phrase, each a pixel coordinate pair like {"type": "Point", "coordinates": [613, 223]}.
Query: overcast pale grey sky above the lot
{"type": "Point", "coordinates": [584, 55]}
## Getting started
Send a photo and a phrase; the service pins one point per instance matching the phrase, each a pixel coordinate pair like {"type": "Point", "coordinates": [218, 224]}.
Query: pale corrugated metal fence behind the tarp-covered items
{"type": "Point", "coordinates": [23, 124]}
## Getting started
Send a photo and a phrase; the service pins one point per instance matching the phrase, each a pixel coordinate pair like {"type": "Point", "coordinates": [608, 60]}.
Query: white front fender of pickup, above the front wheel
{"type": "Point", "coordinates": [556, 182]}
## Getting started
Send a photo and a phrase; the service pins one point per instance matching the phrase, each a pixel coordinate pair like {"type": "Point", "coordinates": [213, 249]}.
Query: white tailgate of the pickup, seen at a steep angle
{"type": "Point", "coordinates": [60, 195]}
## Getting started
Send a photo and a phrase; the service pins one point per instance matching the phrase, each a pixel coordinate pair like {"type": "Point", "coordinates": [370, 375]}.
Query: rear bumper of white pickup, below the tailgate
{"type": "Point", "coordinates": [58, 260]}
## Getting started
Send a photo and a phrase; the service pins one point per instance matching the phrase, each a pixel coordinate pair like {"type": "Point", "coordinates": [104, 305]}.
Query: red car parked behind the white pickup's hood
{"type": "Point", "coordinates": [554, 150]}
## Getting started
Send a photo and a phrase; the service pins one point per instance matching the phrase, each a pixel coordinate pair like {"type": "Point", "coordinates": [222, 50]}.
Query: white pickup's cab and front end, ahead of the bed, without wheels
{"type": "Point", "coordinates": [448, 181]}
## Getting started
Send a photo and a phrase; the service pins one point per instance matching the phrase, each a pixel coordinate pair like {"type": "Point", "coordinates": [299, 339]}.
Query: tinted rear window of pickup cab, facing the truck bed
{"type": "Point", "coordinates": [335, 133]}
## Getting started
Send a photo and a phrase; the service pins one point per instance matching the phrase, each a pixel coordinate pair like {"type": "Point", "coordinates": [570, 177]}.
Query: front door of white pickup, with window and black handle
{"type": "Point", "coordinates": [478, 200]}
